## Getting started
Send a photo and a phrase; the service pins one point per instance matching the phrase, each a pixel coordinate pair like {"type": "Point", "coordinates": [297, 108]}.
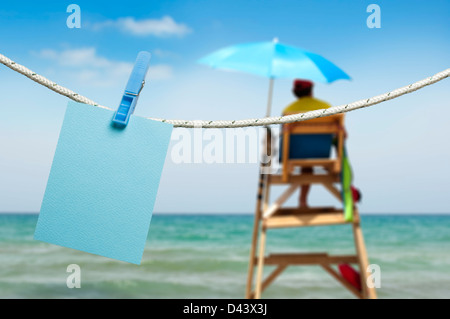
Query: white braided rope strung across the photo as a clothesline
{"type": "Point", "coordinates": [239, 123]}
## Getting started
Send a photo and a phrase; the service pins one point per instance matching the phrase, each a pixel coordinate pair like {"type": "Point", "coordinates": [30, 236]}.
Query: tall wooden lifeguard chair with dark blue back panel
{"type": "Point", "coordinates": [307, 144]}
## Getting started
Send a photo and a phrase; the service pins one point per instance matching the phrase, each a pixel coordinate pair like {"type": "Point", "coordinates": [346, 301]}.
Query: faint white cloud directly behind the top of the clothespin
{"type": "Point", "coordinates": [86, 66]}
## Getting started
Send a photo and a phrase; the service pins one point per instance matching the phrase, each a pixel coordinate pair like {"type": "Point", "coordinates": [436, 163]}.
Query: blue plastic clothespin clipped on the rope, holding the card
{"type": "Point", "coordinates": [132, 90]}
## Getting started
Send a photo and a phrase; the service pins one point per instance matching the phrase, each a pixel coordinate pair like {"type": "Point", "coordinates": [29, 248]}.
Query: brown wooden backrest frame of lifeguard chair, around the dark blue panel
{"type": "Point", "coordinates": [331, 125]}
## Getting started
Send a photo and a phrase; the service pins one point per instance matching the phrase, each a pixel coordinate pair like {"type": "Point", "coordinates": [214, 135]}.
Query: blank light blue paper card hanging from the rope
{"type": "Point", "coordinates": [103, 183]}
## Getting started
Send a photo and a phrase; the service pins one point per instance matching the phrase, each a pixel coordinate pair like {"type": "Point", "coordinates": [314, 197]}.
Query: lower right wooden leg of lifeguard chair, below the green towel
{"type": "Point", "coordinates": [367, 292]}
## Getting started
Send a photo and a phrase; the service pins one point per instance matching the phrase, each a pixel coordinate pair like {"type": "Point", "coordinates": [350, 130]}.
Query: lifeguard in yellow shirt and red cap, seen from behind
{"type": "Point", "coordinates": [306, 102]}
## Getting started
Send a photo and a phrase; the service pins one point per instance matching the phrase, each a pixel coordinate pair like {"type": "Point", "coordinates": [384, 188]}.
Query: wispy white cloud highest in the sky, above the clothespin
{"type": "Point", "coordinates": [164, 27]}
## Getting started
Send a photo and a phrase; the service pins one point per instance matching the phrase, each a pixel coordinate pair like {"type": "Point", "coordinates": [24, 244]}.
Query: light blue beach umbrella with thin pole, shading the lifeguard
{"type": "Point", "coordinates": [274, 60]}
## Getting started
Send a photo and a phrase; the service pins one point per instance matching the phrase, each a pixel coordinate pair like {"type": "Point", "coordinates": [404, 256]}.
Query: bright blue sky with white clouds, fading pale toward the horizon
{"type": "Point", "coordinates": [398, 149]}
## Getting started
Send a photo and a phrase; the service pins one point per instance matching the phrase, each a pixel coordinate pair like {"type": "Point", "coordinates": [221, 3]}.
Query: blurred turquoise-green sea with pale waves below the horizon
{"type": "Point", "coordinates": [206, 256]}
